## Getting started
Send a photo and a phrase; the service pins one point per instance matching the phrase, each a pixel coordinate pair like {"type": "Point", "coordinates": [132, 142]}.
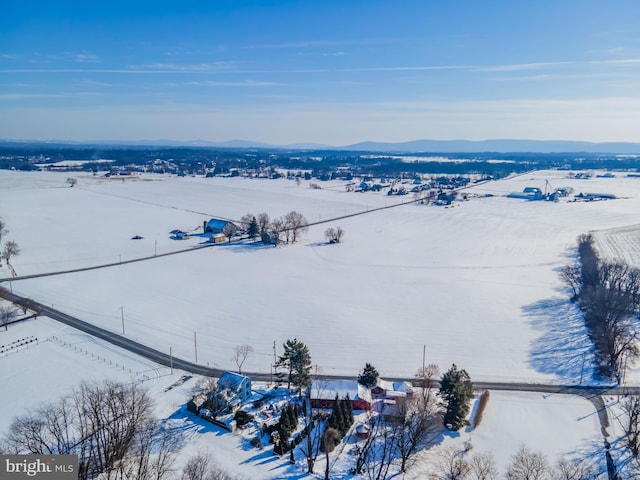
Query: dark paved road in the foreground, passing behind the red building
{"type": "Point", "coordinates": [588, 391]}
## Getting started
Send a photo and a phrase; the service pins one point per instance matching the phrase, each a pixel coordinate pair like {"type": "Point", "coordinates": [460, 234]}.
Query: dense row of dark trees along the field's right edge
{"type": "Point", "coordinates": [608, 293]}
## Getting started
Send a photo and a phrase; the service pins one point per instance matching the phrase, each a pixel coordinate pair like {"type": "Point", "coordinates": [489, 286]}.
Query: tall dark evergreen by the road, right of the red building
{"type": "Point", "coordinates": [456, 390]}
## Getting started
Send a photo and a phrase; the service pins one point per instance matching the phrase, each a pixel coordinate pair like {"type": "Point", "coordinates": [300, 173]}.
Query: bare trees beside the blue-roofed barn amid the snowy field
{"type": "Point", "coordinates": [277, 230]}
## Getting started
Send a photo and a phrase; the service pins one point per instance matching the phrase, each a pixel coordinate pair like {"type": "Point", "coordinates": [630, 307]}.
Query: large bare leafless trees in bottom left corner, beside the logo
{"type": "Point", "coordinates": [105, 425]}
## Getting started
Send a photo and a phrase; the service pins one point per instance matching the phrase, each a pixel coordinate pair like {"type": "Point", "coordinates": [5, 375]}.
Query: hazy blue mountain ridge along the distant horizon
{"type": "Point", "coordinates": [414, 146]}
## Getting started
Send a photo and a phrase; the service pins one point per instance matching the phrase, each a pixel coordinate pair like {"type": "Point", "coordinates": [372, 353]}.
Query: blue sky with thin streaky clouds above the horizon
{"type": "Point", "coordinates": [331, 72]}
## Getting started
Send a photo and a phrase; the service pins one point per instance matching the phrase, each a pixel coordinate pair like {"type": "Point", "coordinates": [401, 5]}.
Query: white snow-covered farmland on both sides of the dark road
{"type": "Point", "coordinates": [476, 284]}
